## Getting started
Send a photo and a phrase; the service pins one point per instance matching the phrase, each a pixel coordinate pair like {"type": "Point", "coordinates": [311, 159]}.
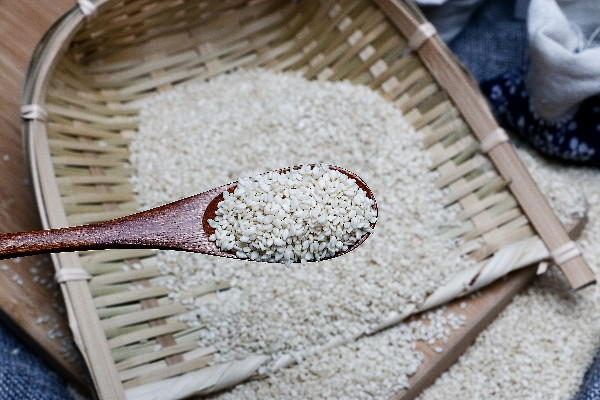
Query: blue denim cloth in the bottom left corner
{"type": "Point", "coordinates": [23, 375]}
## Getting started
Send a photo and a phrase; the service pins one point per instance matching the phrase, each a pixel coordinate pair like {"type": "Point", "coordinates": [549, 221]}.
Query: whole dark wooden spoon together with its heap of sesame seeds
{"type": "Point", "coordinates": [298, 214]}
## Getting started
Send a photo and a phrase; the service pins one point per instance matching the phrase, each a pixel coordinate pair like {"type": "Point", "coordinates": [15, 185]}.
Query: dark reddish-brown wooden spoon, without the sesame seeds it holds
{"type": "Point", "coordinates": [181, 225]}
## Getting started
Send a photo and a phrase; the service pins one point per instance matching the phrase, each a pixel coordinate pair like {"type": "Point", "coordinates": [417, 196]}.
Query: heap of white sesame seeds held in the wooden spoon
{"type": "Point", "coordinates": [303, 214]}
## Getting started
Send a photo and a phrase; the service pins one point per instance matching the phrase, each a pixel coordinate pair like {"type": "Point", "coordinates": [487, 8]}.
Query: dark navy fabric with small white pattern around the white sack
{"type": "Point", "coordinates": [574, 138]}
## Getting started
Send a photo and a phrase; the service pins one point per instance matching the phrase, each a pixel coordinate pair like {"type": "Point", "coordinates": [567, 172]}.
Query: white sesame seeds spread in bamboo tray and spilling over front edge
{"type": "Point", "coordinates": [203, 134]}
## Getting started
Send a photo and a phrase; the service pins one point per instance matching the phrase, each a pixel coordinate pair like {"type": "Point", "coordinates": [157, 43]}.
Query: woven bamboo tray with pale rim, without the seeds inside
{"type": "Point", "coordinates": [78, 120]}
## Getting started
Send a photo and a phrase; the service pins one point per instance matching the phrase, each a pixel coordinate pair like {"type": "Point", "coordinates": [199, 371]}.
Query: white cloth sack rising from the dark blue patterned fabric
{"type": "Point", "coordinates": [564, 55]}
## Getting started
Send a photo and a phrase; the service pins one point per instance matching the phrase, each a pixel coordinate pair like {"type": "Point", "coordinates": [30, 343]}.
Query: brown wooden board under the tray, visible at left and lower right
{"type": "Point", "coordinates": [30, 300]}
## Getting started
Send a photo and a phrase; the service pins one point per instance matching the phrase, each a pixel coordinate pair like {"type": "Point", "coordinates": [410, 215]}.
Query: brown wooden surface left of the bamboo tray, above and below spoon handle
{"type": "Point", "coordinates": [30, 301]}
